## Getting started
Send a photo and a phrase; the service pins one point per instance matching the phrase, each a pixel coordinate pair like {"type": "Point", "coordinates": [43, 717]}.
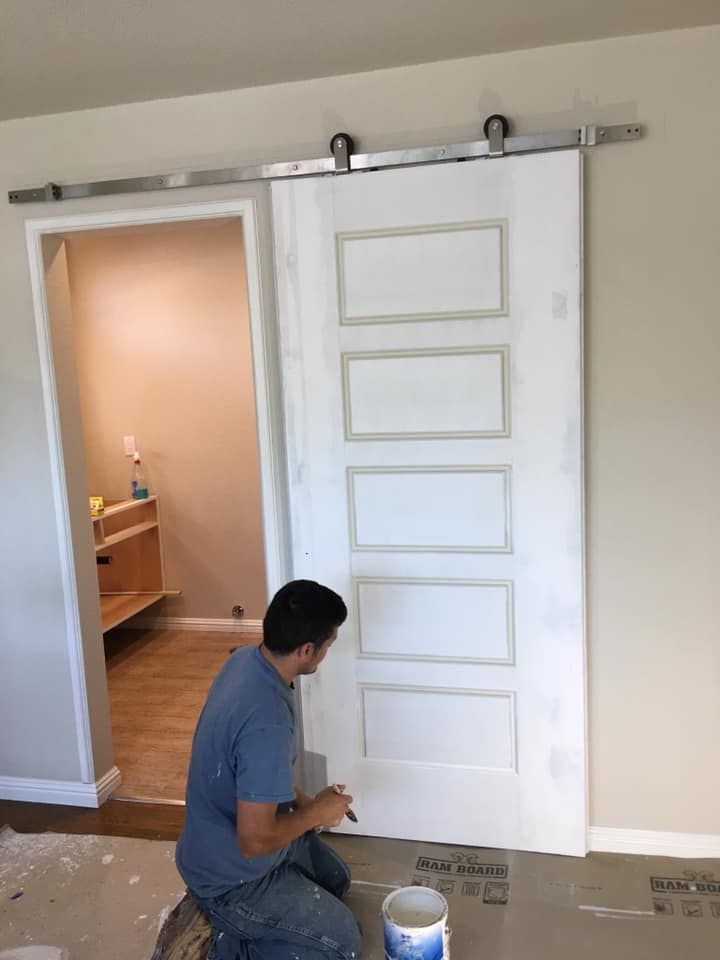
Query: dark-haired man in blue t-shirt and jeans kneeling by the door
{"type": "Point", "coordinates": [249, 852]}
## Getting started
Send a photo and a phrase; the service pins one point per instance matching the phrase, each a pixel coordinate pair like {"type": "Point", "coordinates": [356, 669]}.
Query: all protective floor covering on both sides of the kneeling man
{"type": "Point", "coordinates": [87, 897]}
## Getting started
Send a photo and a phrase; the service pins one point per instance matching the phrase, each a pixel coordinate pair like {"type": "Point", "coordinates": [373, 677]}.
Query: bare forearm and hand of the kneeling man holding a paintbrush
{"type": "Point", "coordinates": [262, 830]}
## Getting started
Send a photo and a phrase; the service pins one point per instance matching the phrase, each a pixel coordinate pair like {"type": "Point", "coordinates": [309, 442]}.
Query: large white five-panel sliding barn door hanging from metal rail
{"type": "Point", "coordinates": [431, 352]}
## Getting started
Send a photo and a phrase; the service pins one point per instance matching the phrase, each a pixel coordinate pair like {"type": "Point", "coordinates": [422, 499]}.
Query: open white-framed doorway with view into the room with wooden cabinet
{"type": "Point", "coordinates": [152, 326]}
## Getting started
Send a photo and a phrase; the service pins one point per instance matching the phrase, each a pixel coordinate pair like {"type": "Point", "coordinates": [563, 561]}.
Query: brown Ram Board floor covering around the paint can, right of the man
{"type": "Point", "coordinates": [522, 906]}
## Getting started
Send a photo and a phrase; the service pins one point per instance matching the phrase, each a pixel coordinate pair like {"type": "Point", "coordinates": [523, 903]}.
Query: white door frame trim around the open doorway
{"type": "Point", "coordinates": [271, 441]}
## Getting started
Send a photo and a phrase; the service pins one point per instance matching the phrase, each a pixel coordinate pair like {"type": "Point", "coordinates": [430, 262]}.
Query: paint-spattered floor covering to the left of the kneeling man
{"type": "Point", "coordinates": [68, 897]}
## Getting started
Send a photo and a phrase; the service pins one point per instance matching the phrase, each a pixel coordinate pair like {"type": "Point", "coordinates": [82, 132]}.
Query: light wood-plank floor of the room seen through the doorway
{"type": "Point", "coordinates": [157, 683]}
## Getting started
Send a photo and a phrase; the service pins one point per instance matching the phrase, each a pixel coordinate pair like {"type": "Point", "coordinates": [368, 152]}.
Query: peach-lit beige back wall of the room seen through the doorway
{"type": "Point", "coordinates": [163, 352]}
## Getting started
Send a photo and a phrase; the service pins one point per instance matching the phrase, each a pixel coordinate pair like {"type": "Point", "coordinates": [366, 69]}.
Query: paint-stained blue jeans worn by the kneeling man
{"type": "Point", "coordinates": [293, 913]}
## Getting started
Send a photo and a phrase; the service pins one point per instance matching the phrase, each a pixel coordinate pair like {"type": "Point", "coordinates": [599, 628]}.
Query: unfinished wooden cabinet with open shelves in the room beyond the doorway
{"type": "Point", "coordinates": [128, 533]}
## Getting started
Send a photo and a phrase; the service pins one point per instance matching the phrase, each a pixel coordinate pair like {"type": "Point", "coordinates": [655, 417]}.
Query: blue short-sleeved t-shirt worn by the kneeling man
{"type": "Point", "coordinates": [244, 749]}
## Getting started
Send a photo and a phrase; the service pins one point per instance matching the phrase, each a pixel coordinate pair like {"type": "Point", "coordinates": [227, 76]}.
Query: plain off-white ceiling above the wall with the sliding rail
{"type": "Point", "coordinates": [58, 55]}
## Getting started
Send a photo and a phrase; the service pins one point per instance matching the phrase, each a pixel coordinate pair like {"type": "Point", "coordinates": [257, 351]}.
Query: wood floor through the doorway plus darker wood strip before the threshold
{"type": "Point", "coordinates": [157, 682]}
